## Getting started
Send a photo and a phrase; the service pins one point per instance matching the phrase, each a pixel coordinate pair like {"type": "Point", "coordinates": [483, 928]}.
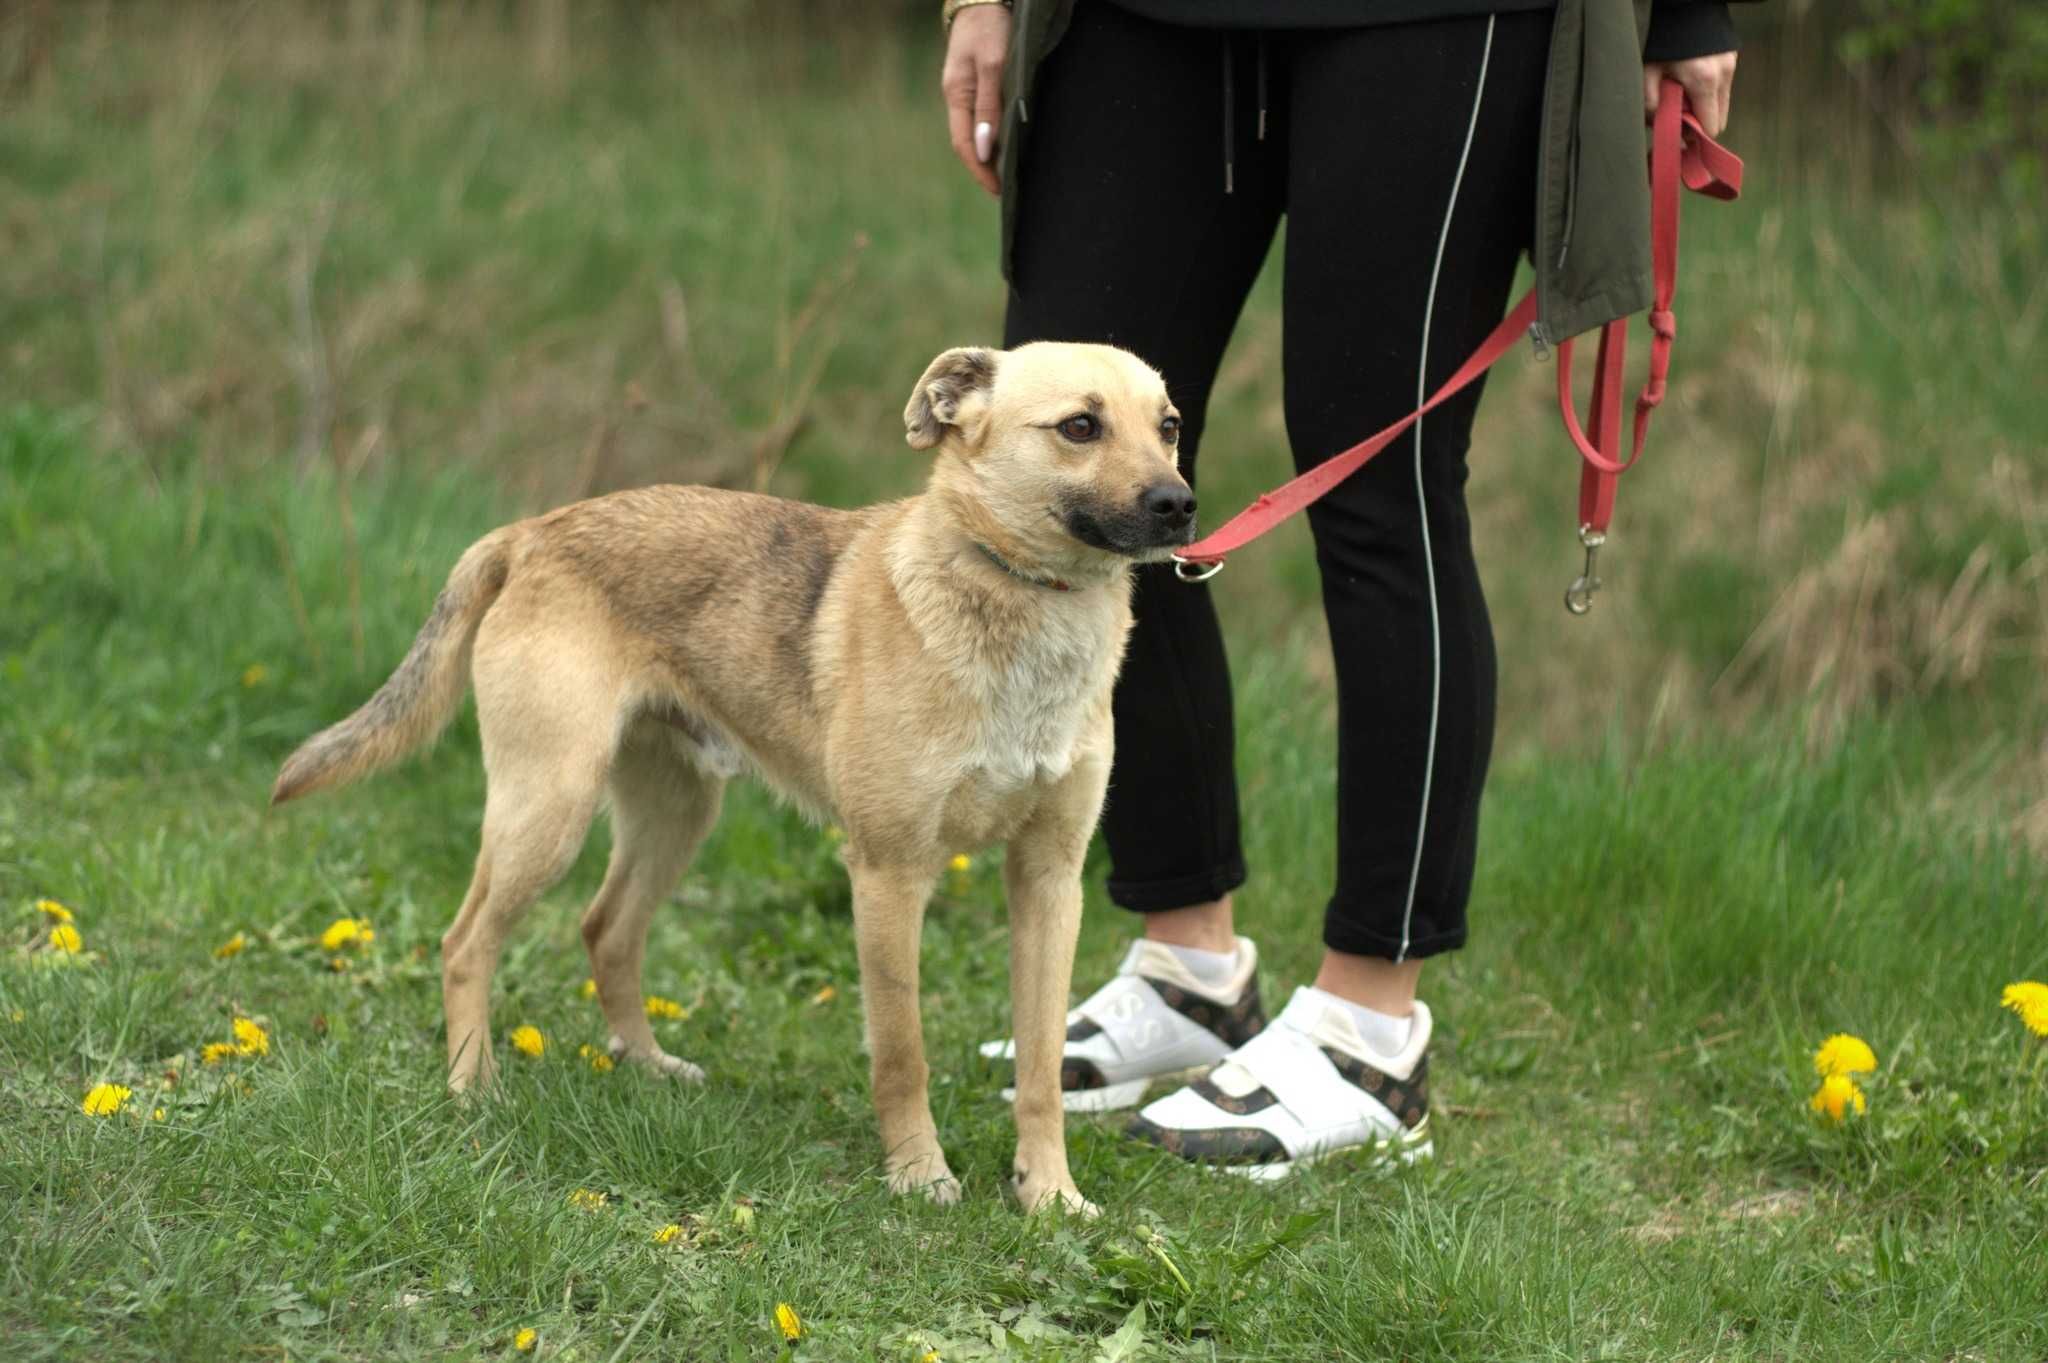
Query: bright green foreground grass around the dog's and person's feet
{"type": "Point", "coordinates": [1629, 1168]}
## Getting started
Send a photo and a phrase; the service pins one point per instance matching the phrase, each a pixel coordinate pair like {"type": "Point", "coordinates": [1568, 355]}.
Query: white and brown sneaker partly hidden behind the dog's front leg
{"type": "Point", "coordinates": [1154, 1020]}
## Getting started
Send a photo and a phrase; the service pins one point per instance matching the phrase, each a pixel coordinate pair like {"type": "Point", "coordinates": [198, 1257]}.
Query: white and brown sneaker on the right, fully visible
{"type": "Point", "coordinates": [1299, 1092]}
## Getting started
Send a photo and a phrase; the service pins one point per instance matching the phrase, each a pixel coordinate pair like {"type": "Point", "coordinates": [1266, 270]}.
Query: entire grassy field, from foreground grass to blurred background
{"type": "Point", "coordinates": [302, 300]}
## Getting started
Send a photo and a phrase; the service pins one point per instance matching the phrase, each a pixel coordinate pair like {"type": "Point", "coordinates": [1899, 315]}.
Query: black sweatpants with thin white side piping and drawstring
{"type": "Point", "coordinates": [1404, 159]}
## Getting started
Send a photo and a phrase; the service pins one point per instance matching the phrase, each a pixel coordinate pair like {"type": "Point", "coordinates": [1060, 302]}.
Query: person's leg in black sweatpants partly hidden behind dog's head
{"type": "Point", "coordinates": [1127, 236]}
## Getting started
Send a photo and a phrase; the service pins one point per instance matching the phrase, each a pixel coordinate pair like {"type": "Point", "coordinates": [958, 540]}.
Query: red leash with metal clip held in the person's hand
{"type": "Point", "coordinates": [1680, 152]}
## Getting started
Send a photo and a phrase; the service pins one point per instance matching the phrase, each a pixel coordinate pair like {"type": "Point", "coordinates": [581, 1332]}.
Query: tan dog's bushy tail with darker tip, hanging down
{"type": "Point", "coordinates": [417, 703]}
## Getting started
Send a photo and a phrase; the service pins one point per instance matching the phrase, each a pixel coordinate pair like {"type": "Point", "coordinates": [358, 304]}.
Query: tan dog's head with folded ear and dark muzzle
{"type": "Point", "coordinates": [1068, 451]}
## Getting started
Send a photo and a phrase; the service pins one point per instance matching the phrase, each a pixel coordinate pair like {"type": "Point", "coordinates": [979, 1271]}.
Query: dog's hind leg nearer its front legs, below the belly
{"type": "Point", "coordinates": [663, 809]}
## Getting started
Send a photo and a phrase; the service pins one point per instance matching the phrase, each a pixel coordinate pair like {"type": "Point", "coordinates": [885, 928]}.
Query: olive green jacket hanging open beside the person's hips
{"type": "Point", "coordinates": [1592, 193]}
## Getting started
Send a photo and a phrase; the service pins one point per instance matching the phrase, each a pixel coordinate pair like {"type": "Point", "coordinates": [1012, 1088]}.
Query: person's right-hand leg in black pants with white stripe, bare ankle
{"type": "Point", "coordinates": [1402, 253]}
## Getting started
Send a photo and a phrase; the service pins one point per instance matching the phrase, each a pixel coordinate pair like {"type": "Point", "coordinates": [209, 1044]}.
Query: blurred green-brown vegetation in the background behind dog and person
{"type": "Point", "coordinates": [562, 249]}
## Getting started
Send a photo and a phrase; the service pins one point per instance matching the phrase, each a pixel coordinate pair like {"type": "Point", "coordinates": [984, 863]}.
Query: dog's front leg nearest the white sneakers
{"type": "Point", "coordinates": [1043, 881]}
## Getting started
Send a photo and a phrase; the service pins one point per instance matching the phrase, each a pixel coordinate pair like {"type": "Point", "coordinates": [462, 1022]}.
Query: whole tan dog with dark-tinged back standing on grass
{"type": "Point", "coordinates": [935, 674]}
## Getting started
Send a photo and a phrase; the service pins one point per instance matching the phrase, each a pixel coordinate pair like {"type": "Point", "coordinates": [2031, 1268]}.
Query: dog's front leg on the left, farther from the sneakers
{"type": "Point", "coordinates": [888, 926]}
